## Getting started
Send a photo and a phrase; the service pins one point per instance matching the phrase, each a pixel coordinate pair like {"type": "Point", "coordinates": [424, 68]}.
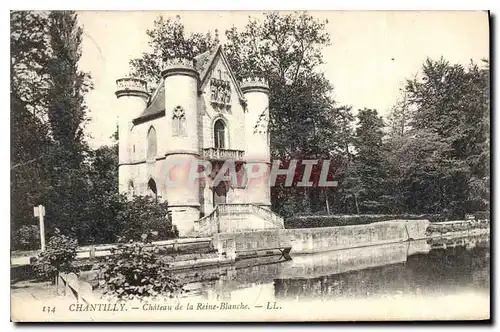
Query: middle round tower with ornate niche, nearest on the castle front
{"type": "Point", "coordinates": [182, 150]}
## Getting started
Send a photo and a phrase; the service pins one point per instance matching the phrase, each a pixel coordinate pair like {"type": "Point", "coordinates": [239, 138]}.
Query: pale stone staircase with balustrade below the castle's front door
{"type": "Point", "coordinates": [226, 218]}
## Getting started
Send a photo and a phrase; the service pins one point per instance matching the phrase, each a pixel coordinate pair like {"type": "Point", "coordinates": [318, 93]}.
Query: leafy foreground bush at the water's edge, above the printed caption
{"type": "Point", "coordinates": [135, 271]}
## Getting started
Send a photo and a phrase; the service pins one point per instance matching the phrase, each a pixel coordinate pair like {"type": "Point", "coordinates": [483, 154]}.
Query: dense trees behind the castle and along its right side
{"type": "Point", "coordinates": [430, 156]}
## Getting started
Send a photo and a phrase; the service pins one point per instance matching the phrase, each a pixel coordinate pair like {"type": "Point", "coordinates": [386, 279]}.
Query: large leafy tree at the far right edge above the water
{"type": "Point", "coordinates": [452, 104]}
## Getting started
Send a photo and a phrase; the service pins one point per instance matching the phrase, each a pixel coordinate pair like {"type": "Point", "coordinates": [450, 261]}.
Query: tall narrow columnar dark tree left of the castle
{"type": "Point", "coordinates": [67, 116]}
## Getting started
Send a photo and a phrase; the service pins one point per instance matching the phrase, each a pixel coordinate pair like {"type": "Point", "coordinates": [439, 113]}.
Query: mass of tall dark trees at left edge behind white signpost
{"type": "Point", "coordinates": [50, 158]}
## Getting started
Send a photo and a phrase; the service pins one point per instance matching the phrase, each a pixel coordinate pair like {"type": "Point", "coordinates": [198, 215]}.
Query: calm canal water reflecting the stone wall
{"type": "Point", "coordinates": [416, 269]}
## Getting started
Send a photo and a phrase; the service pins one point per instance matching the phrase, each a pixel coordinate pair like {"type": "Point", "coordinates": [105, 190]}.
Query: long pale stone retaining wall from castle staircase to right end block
{"type": "Point", "coordinates": [310, 240]}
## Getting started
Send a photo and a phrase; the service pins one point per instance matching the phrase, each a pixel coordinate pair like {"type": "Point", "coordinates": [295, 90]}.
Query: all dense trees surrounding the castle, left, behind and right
{"type": "Point", "coordinates": [431, 155]}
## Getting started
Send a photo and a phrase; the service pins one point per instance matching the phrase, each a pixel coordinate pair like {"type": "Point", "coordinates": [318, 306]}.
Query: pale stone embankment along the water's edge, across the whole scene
{"type": "Point", "coordinates": [225, 248]}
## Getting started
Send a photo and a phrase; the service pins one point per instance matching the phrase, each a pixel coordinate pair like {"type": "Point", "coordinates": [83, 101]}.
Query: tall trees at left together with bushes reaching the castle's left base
{"type": "Point", "coordinates": [51, 162]}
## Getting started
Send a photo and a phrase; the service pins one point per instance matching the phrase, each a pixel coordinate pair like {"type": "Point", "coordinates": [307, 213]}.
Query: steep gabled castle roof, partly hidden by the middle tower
{"type": "Point", "coordinates": [204, 62]}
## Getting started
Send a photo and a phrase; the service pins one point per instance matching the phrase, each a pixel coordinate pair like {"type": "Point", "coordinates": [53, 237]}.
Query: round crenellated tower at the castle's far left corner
{"type": "Point", "coordinates": [132, 97]}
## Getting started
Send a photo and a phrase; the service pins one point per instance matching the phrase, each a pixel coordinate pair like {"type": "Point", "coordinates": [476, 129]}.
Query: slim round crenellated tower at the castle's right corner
{"type": "Point", "coordinates": [257, 149]}
